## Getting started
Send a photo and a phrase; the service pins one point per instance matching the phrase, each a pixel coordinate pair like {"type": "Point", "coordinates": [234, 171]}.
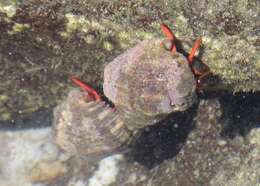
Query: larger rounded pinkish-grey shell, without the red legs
{"type": "Point", "coordinates": [147, 82]}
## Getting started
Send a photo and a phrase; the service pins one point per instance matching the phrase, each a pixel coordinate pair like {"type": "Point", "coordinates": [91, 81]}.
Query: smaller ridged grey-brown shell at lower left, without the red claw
{"type": "Point", "coordinates": [87, 127]}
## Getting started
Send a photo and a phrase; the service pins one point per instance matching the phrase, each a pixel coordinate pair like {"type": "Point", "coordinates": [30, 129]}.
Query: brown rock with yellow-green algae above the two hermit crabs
{"type": "Point", "coordinates": [44, 42]}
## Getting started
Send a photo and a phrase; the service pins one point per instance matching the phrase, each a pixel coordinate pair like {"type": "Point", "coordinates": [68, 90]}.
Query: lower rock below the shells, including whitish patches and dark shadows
{"type": "Point", "coordinates": [214, 143]}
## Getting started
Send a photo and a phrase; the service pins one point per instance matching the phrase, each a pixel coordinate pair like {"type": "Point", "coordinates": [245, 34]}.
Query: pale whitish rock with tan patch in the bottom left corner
{"type": "Point", "coordinates": [29, 157]}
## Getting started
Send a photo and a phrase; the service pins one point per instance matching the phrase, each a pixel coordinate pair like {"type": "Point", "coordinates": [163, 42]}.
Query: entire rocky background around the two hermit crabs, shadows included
{"type": "Point", "coordinates": [42, 43]}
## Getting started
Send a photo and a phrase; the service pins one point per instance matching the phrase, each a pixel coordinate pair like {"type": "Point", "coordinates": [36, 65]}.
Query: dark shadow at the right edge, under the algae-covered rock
{"type": "Point", "coordinates": [241, 113]}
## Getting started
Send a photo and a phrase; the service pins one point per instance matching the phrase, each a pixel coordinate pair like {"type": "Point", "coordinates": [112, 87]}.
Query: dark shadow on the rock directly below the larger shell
{"type": "Point", "coordinates": [163, 140]}
